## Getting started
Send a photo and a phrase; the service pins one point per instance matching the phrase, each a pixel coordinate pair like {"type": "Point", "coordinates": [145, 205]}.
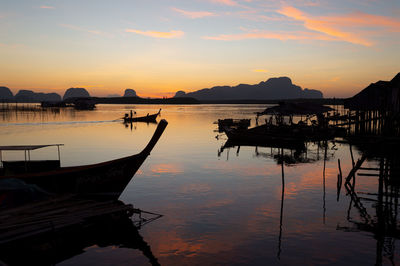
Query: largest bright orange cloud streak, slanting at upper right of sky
{"type": "Point", "coordinates": [344, 27]}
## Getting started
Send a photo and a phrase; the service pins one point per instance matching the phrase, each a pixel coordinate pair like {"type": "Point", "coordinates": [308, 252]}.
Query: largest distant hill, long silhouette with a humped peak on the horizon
{"type": "Point", "coordinates": [272, 89]}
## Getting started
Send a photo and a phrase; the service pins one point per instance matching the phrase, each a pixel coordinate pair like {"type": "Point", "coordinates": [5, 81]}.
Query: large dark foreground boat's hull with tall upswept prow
{"type": "Point", "coordinates": [103, 179]}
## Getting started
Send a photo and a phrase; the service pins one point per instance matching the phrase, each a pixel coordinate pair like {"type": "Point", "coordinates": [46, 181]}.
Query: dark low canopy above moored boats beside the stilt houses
{"type": "Point", "coordinates": [285, 108]}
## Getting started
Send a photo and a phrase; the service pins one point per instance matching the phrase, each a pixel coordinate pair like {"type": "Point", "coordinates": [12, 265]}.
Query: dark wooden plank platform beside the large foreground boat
{"type": "Point", "coordinates": [26, 221]}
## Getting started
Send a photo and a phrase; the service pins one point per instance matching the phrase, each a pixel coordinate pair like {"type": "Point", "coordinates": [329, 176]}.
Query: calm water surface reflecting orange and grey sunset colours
{"type": "Point", "coordinates": [220, 207]}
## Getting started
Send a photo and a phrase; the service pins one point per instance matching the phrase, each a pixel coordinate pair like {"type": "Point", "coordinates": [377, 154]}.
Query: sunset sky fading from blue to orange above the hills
{"type": "Point", "coordinates": [160, 47]}
